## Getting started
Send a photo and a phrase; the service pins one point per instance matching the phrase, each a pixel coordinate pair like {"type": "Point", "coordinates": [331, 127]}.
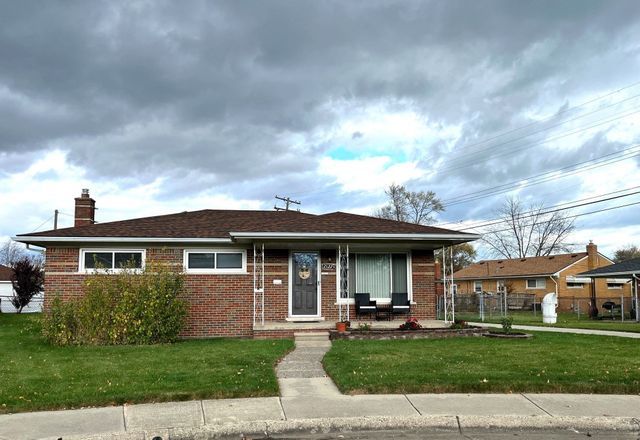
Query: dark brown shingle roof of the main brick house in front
{"type": "Point", "coordinates": [220, 223]}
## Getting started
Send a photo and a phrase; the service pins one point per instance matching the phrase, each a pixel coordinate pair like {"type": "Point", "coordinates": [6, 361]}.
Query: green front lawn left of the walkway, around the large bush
{"type": "Point", "coordinates": [37, 376]}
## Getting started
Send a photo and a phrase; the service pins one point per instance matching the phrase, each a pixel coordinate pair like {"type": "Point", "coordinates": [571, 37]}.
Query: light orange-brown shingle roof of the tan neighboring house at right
{"type": "Point", "coordinates": [517, 267]}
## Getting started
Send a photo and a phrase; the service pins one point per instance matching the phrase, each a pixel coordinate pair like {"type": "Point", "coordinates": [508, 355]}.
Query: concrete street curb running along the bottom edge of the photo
{"type": "Point", "coordinates": [341, 425]}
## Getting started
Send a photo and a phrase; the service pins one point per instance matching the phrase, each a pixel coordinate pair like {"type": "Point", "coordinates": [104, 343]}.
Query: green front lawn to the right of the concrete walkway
{"type": "Point", "coordinates": [548, 362]}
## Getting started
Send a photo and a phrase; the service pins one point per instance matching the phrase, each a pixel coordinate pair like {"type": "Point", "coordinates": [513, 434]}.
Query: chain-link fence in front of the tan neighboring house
{"type": "Point", "coordinates": [527, 308]}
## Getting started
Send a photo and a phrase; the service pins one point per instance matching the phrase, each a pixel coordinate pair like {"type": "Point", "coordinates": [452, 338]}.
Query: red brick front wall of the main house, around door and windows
{"type": "Point", "coordinates": [222, 305]}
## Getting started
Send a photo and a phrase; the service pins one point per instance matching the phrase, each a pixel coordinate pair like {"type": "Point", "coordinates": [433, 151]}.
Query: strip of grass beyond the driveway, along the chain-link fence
{"type": "Point", "coordinates": [565, 320]}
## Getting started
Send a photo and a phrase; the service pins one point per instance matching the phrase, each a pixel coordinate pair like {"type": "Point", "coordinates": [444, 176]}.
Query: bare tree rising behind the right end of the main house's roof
{"type": "Point", "coordinates": [410, 206]}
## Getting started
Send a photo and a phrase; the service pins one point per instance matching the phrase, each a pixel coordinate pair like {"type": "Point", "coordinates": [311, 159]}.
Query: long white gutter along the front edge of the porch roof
{"type": "Point", "coordinates": [352, 236]}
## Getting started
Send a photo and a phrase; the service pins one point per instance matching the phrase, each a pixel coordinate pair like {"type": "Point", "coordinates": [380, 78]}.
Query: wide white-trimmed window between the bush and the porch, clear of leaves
{"type": "Point", "coordinates": [215, 261]}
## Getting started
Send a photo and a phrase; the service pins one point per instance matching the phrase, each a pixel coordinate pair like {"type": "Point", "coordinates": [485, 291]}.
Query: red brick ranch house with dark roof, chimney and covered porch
{"type": "Point", "coordinates": [249, 272]}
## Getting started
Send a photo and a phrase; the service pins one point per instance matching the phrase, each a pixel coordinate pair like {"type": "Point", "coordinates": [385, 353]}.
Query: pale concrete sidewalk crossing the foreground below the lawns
{"type": "Point", "coordinates": [236, 416]}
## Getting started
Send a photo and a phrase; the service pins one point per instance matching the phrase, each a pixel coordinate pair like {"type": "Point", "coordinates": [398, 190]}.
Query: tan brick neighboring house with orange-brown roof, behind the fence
{"type": "Point", "coordinates": [540, 275]}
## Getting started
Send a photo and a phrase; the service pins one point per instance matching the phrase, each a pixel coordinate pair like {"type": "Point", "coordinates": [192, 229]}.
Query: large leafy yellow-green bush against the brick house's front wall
{"type": "Point", "coordinates": [121, 308]}
